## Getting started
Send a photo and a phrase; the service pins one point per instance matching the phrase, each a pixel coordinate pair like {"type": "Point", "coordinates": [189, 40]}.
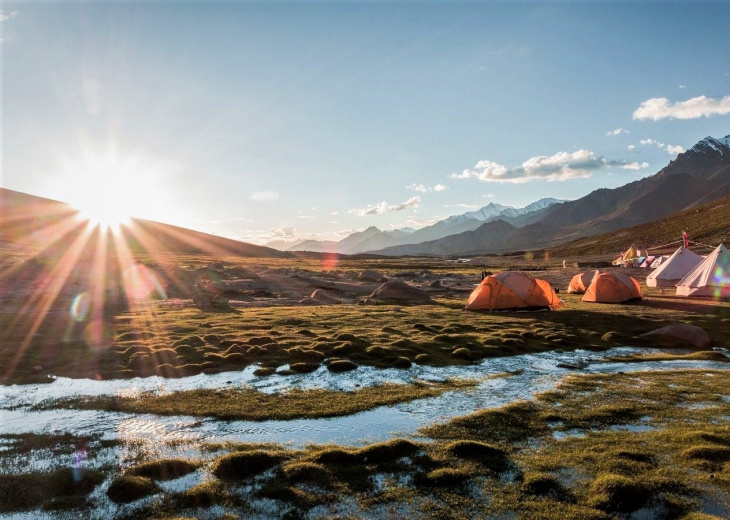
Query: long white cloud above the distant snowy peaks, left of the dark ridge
{"type": "Point", "coordinates": [559, 167]}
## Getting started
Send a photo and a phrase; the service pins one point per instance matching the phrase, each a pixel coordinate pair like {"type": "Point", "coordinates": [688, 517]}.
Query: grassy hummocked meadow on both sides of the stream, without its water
{"type": "Point", "coordinates": [597, 446]}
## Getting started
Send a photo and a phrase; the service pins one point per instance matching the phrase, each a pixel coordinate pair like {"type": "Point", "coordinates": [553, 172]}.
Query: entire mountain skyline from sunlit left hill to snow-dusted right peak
{"type": "Point", "coordinates": [688, 183]}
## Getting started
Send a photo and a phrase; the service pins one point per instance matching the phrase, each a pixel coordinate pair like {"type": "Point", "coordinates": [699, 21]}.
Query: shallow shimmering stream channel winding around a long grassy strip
{"type": "Point", "coordinates": [535, 373]}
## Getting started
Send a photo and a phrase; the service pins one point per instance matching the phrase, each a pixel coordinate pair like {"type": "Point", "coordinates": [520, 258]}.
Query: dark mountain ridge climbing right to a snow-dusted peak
{"type": "Point", "coordinates": [695, 177]}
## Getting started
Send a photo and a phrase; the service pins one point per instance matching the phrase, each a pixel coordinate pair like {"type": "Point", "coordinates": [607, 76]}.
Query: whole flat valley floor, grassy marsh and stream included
{"type": "Point", "coordinates": [276, 406]}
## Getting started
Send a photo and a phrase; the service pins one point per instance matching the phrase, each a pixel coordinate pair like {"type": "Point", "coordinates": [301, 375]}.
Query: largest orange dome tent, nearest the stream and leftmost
{"type": "Point", "coordinates": [512, 290]}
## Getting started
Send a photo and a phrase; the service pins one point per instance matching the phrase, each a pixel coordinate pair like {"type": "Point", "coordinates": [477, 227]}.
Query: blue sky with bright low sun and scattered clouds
{"type": "Point", "coordinates": [290, 120]}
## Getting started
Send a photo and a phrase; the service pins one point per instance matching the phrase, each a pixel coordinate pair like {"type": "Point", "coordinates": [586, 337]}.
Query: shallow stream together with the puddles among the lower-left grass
{"type": "Point", "coordinates": [161, 437]}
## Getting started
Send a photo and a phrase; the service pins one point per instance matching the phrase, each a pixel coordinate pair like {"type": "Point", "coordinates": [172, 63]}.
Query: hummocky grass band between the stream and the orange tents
{"type": "Point", "coordinates": [178, 340]}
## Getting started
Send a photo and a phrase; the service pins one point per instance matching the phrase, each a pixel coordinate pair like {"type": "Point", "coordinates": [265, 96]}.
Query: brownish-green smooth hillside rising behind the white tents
{"type": "Point", "coordinates": [707, 224]}
